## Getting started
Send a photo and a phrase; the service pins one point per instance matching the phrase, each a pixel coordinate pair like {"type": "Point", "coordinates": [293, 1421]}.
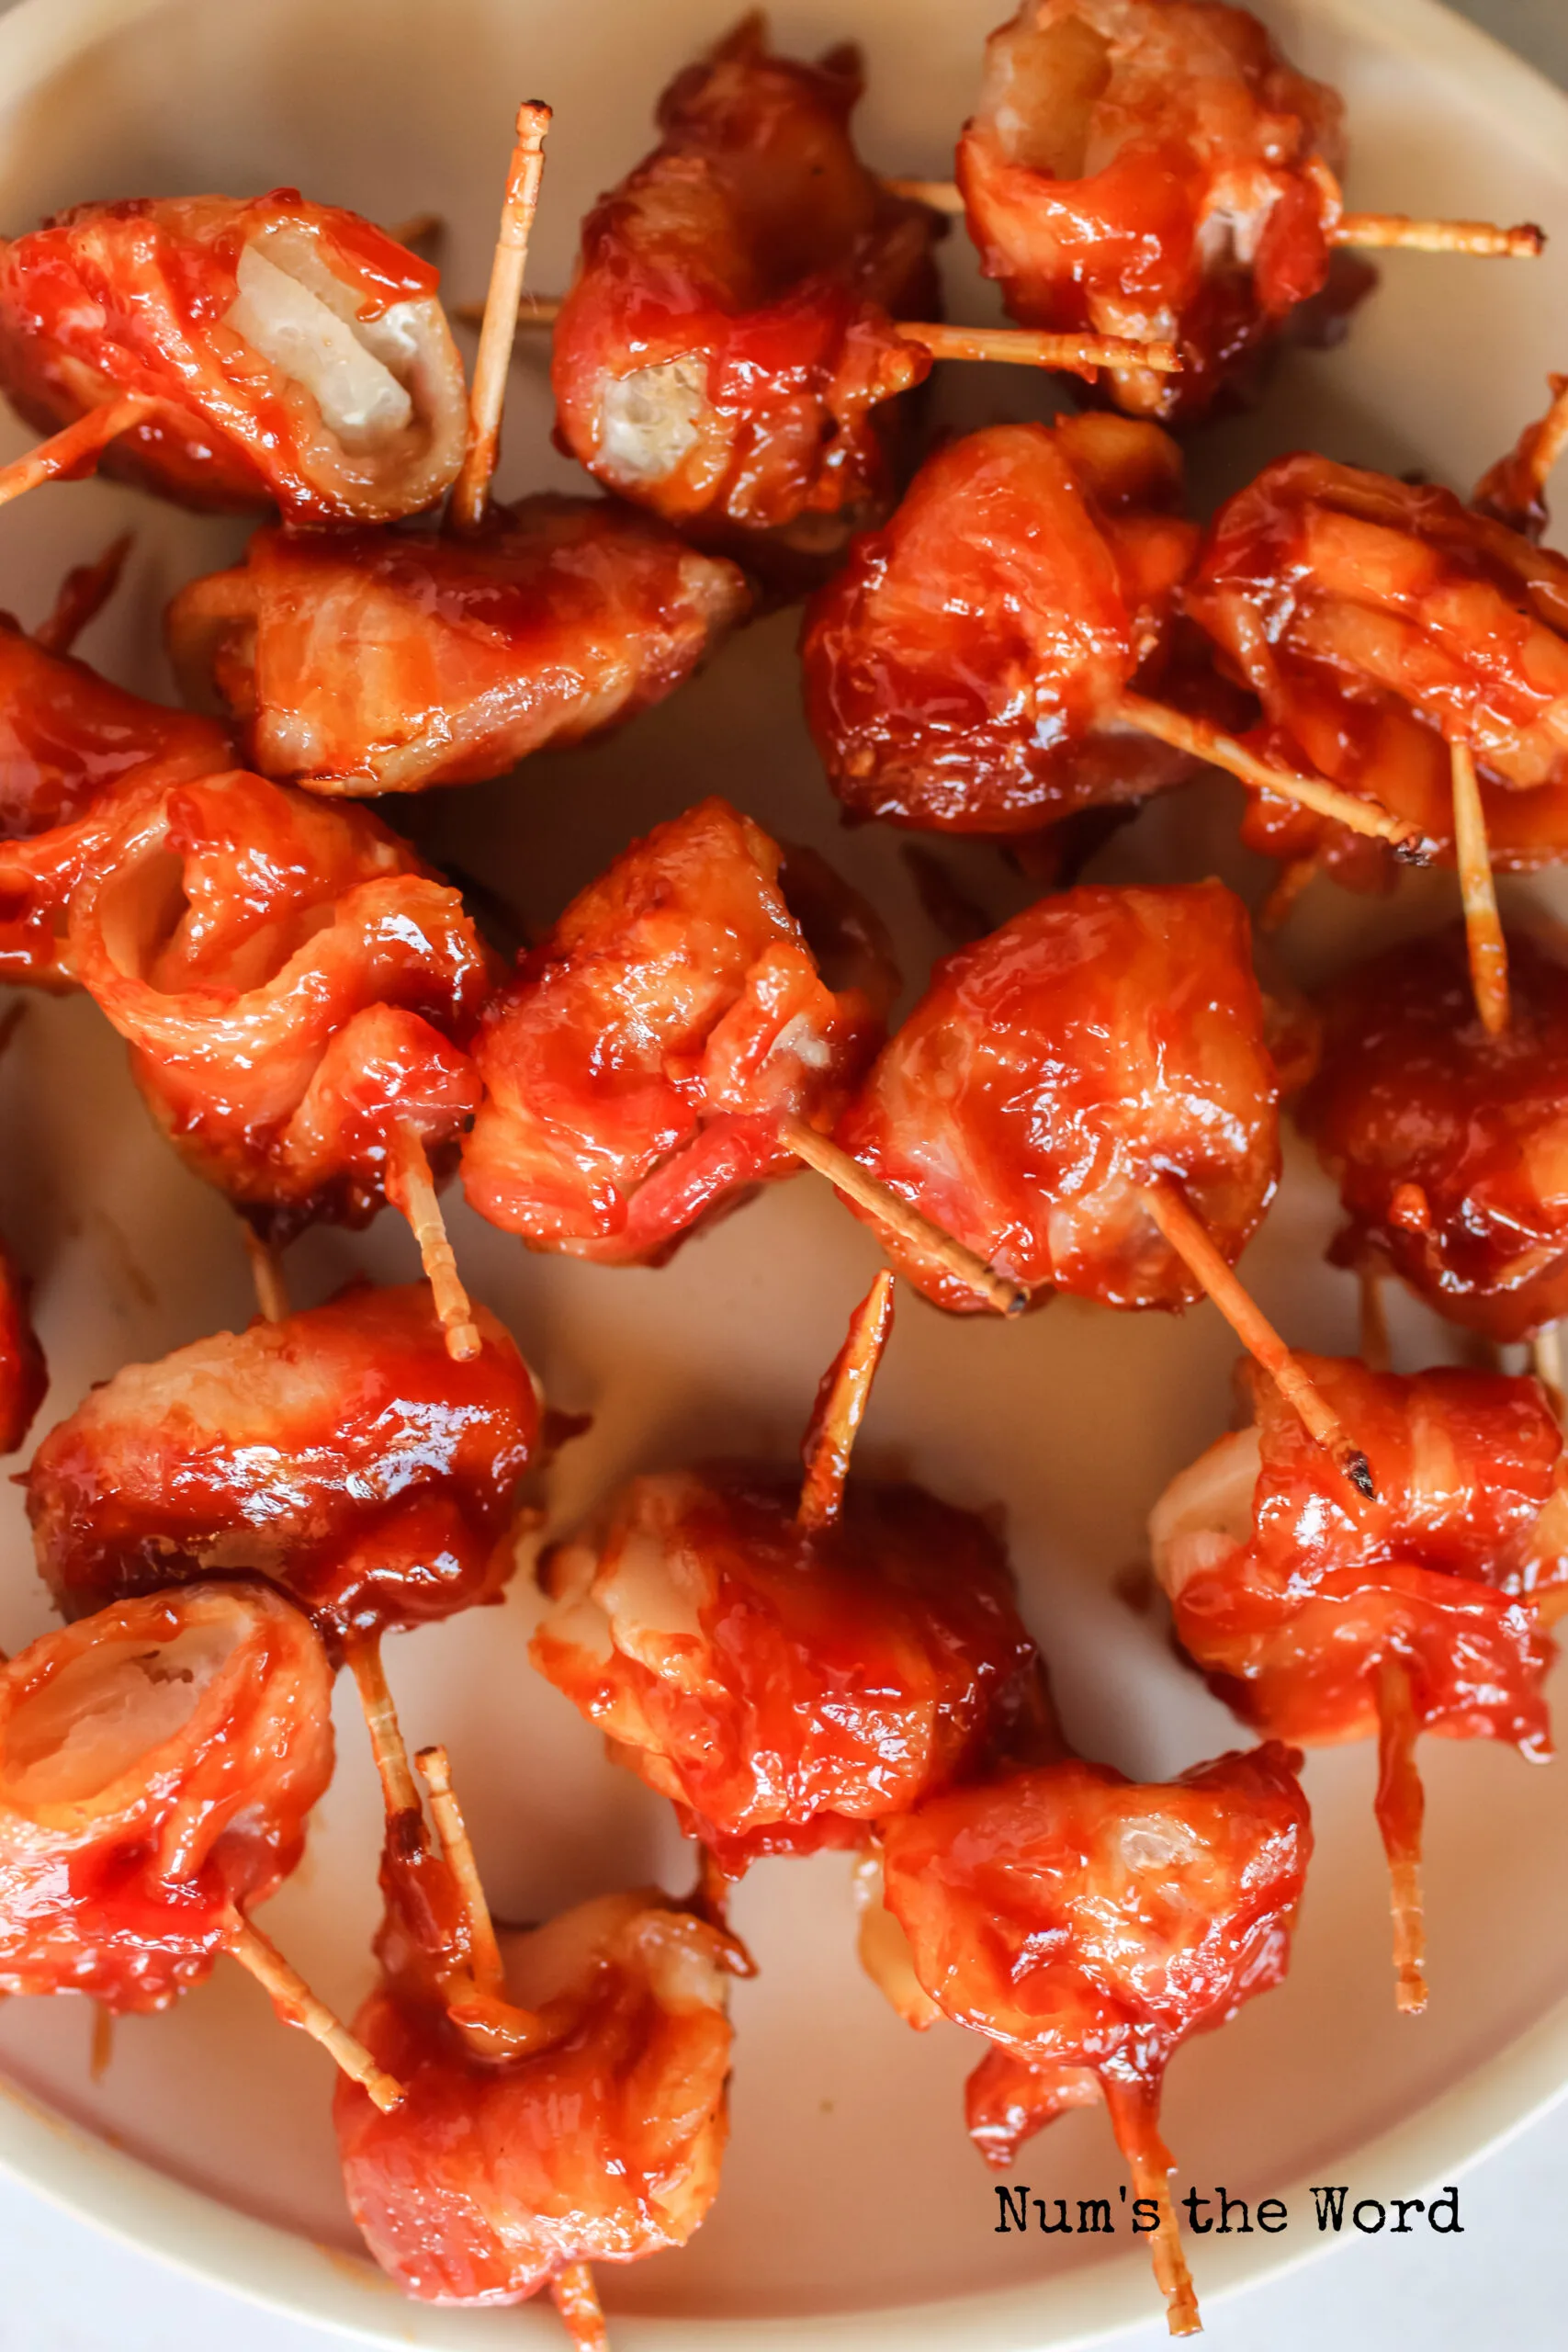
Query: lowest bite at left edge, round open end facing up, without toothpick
{"type": "Point", "coordinates": [156, 1770]}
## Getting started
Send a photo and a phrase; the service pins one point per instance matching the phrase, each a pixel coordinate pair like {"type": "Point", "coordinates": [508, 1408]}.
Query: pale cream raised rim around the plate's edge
{"type": "Point", "coordinates": [140, 2205]}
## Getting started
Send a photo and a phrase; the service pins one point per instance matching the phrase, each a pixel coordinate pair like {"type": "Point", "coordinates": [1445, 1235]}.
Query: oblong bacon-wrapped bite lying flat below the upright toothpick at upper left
{"type": "Point", "coordinates": [384, 664]}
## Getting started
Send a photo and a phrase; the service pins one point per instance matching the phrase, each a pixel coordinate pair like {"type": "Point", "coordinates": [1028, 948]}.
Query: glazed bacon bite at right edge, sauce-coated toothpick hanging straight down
{"type": "Point", "coordinates": [1329, 1619]}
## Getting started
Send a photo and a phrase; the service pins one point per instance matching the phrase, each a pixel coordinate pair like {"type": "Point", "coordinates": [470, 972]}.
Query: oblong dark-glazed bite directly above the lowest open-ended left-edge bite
{"type": "Point", "coordinates": [340, 1452]}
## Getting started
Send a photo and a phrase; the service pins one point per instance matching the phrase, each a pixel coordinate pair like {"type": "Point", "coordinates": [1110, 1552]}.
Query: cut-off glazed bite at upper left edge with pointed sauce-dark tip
{"type": "Point", "coordinates": [72, 747]}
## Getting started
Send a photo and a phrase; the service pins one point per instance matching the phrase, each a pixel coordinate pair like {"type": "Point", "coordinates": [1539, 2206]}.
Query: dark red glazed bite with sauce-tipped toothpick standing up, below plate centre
{"type": "Point", "coordinates": [786, 1664]}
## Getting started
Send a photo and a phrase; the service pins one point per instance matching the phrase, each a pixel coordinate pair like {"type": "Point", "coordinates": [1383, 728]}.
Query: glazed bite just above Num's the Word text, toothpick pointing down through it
{"type": "Point", "coordinates": [1087, 1925]}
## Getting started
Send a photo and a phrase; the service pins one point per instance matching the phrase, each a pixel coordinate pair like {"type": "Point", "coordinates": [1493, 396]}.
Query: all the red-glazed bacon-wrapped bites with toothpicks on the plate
{"type": "Point", "coordinates": [1000, 639]}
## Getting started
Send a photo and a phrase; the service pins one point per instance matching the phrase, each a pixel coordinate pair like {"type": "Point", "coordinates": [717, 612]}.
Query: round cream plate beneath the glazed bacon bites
{"type": "Point", "coordinates": [850, 2191]}
